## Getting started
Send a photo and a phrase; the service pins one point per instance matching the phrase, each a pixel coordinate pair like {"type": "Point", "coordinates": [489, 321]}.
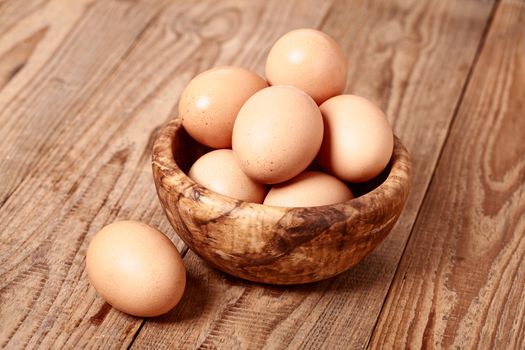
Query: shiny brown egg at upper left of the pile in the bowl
{"type": "Point", "coordinates": [209, 104]}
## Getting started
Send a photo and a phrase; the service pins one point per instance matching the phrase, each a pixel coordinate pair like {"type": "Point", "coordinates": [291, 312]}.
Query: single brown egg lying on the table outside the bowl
{"type": "Point", "coordinates": [136, 268]}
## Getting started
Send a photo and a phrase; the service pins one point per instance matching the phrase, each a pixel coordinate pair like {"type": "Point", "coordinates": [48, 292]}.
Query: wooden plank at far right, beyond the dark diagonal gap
{"type": "Point", "coordinates": [461, 281]}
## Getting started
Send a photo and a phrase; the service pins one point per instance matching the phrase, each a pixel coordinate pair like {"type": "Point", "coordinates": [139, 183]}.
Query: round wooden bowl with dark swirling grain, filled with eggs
{"type": "Point", "coordinates": [273, 244]}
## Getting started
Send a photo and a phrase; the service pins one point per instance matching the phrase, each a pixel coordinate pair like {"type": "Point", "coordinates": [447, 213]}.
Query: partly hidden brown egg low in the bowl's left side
{"type": "Point", "coordinates": [219, 171]}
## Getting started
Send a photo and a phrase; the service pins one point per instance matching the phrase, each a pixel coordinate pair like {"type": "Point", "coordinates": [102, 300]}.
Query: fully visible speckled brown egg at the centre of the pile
{"type": "Point", "coordinates": [277, 134]}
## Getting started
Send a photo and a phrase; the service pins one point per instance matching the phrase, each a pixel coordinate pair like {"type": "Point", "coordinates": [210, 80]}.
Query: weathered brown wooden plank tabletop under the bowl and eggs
{"type": "Point", "coordinates": [85, 85]}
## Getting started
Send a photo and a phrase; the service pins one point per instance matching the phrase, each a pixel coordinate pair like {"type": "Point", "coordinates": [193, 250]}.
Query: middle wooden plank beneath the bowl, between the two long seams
{"type": "Point", "coordinates": [400, 57]}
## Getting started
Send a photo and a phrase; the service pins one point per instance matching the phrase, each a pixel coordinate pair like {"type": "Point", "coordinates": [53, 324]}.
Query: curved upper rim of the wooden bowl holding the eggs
{"type": "Point", "coordinates": [173, 177]}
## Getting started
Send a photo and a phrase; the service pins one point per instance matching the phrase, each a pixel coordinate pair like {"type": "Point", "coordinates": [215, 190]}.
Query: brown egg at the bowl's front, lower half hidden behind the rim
{"type": "Point", "coordinates": [309, 189]}
